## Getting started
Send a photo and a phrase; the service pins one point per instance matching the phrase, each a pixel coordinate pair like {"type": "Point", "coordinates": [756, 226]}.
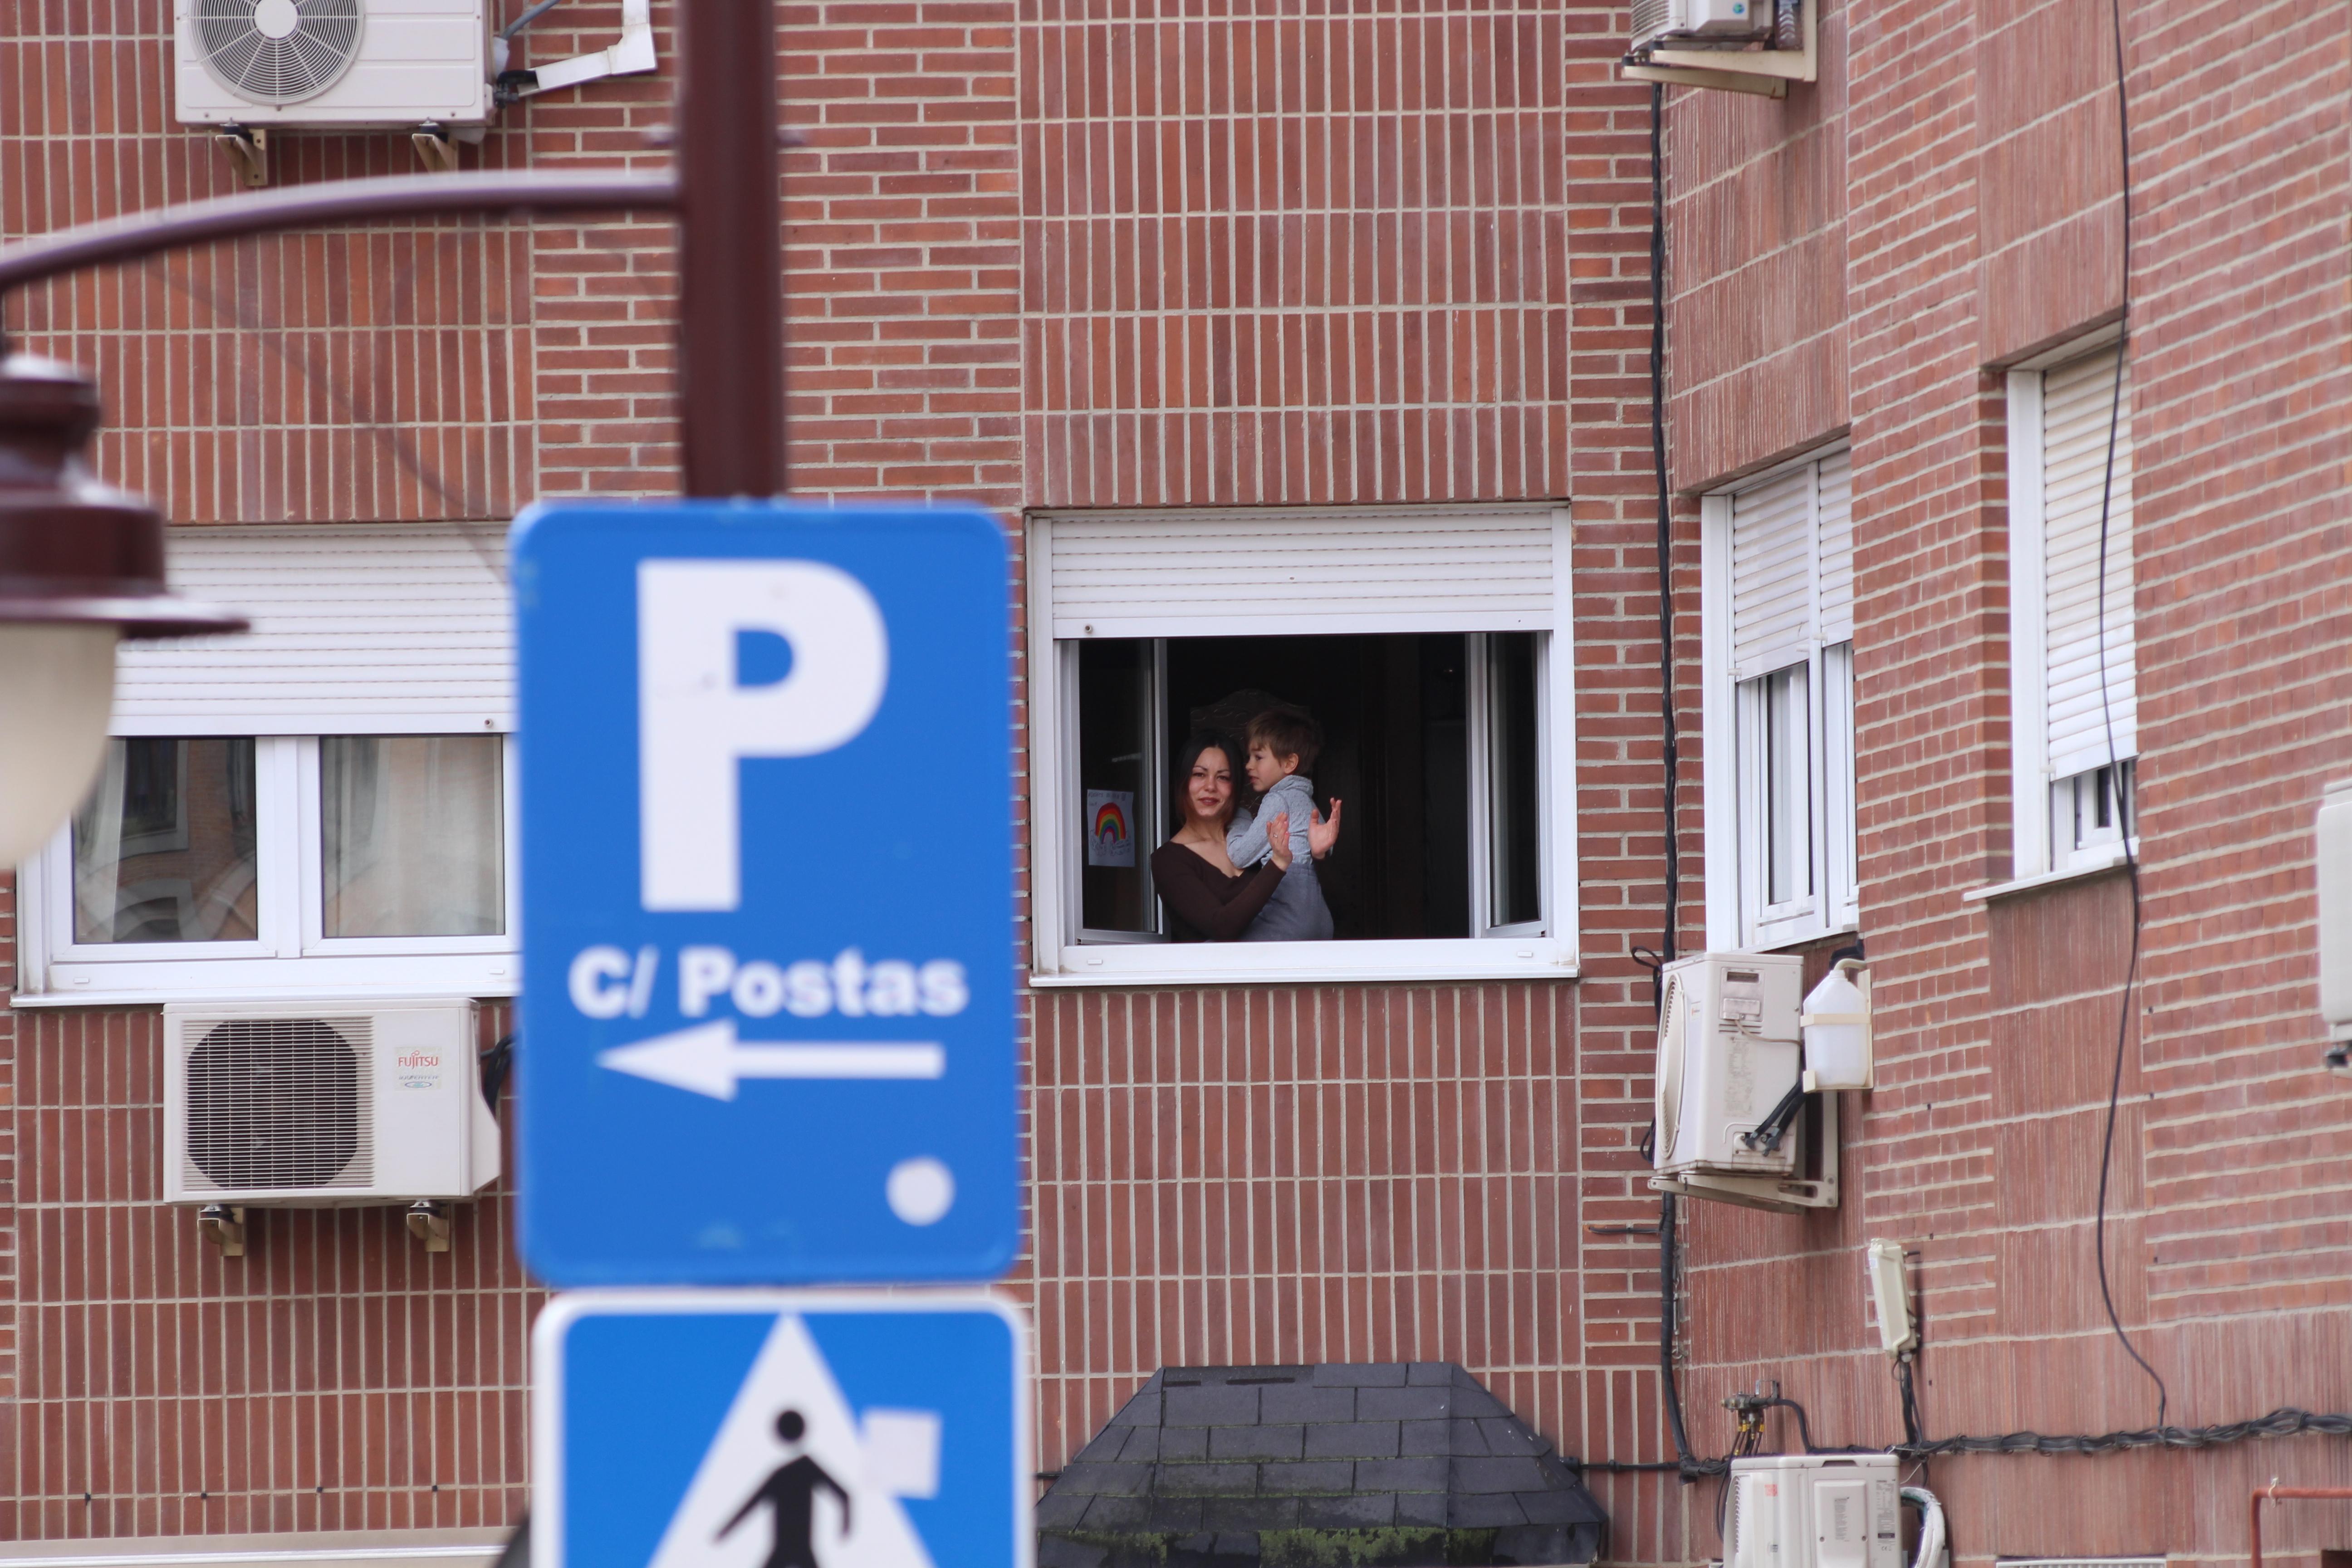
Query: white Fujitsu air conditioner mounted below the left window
{"type": "Point", "coordinates": [323, 1106]}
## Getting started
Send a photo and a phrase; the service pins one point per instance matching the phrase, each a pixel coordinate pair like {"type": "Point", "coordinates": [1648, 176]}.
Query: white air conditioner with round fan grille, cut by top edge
{"type": "Point", "coordinates": [335, 65]}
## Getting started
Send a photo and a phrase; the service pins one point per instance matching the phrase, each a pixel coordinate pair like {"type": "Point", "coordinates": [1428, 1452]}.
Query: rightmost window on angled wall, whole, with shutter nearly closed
{"type": "Point", "coordinates": [2076, 699]}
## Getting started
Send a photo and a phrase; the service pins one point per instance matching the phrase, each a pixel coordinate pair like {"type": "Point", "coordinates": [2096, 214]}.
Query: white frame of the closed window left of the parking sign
{"type": "Point", "coordinates": [288, 958]}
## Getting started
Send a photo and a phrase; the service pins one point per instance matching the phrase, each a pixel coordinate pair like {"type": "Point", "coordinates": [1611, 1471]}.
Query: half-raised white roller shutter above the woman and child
{"type": "Point", "coordinates": [1222, 575]}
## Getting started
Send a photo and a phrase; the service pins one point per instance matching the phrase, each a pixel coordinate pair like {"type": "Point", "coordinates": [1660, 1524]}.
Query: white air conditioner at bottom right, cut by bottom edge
{"type": "Point", "coordinates": [1815, 1510]}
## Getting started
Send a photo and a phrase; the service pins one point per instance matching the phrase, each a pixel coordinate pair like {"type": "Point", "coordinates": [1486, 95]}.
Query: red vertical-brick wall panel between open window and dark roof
{"type": "Point", "coordinates": [1302, 1174]}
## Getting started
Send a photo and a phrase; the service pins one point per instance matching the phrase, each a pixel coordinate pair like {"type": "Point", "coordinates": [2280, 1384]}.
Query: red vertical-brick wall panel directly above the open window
{"type": "Point", "coordinates": [1292, 257]}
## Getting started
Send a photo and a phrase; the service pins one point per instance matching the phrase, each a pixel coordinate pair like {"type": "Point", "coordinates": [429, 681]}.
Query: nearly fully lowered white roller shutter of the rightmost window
{"type": "Point", "coordinates": [2076, 413]}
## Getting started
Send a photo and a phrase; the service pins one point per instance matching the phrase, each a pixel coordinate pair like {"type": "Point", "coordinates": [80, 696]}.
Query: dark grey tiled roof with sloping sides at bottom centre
{"type": "Point", "coordinates": [1339, 1466]}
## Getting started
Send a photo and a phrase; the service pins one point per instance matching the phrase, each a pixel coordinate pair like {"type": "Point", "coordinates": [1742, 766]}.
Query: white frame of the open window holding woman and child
{"type": "Point", "coordinates": [1523, 953]}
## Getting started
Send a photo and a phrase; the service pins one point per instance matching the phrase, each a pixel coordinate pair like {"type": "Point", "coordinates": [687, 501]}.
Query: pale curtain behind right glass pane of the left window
{"type": "Point", "coordinates": [410, 840]}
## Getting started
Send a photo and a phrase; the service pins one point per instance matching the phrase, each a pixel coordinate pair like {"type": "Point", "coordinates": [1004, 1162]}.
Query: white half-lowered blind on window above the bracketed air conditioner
{"type": "Point", "coordinates": [1791, 568]}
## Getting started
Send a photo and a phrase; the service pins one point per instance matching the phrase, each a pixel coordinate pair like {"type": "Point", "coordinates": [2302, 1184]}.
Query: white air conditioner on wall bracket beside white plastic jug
{"type": "Point", "coordinates": [1728, 1057]}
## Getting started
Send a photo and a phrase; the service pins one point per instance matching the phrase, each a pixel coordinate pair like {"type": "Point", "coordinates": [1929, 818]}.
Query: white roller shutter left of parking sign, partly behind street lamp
{"type": "Point", "coordinates": [359, 629]}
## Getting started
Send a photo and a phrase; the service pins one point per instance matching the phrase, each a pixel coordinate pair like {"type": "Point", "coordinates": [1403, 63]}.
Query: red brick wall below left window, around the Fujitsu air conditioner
{"type": "Point", "coordinates": [335, 1379]}
